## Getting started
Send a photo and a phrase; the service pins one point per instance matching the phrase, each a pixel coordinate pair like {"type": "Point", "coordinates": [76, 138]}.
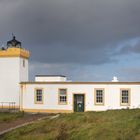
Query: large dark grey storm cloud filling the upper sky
{"type": "Point", "coordinates": [70, 31]}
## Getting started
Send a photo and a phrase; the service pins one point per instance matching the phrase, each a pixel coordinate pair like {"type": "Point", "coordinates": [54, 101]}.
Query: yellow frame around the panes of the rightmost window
{"type": "Point", "coordinates": [129, 97]}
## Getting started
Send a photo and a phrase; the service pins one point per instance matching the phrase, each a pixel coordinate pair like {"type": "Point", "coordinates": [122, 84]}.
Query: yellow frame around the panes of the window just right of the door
{"type": "Point", "coordinates": [103, 96]}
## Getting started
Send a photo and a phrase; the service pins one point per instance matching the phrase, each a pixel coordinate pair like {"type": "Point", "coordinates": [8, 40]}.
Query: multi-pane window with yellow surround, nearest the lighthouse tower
{"type": "Point", "coordinates": [39, 96]}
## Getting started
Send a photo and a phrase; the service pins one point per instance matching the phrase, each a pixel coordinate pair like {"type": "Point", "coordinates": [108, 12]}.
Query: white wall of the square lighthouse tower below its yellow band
{"type": "Point", "coordinates": [11, 74]}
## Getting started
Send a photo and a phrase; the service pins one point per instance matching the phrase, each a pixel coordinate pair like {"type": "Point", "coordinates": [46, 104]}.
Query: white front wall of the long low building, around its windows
{"type": "Point", "coordinates": [112, 96]}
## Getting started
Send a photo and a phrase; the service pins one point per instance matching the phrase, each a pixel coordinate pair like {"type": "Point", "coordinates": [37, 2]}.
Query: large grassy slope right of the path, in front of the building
{"type": "Point", "coordinates": [109, 125]}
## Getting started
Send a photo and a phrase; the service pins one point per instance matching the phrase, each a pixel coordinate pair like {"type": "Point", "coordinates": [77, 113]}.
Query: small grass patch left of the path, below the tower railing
{"type": "Point", "coordinates": [8, 117]}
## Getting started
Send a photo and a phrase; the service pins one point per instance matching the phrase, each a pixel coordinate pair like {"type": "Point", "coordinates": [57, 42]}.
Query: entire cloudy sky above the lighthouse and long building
{"type": "Point", "coordinates": [85, 40]}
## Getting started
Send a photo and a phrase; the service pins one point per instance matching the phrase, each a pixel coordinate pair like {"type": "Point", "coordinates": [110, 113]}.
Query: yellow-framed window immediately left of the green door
{"type": "Point", "coordinates": [62, 96]}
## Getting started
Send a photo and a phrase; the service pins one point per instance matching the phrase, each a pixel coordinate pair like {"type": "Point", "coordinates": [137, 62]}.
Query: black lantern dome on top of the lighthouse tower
{"type": "Point", "coordinates": [14, 43]}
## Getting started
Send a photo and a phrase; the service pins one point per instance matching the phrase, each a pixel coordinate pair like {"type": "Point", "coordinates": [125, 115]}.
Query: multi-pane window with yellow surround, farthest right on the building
{"type": "Point", "coordinates": [125, 97]}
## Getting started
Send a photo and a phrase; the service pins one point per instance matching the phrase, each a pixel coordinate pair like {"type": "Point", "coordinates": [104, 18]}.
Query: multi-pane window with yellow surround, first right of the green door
{"type": "Point", "coordinates": [99, 96]}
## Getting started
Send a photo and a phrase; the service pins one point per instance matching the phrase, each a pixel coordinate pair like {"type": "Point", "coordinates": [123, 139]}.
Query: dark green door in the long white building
{"type": "Point", "coordinates": [78, 103]}
